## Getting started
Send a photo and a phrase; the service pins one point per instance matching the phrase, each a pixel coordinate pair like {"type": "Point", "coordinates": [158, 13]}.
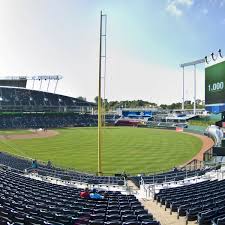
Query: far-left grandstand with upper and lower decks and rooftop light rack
{"type": "Point", "coordinates": [28, 108]}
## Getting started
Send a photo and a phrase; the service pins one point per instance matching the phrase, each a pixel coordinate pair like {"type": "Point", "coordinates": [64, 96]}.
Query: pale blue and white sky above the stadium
{"type": "Point", "coordinates": [147, 40]}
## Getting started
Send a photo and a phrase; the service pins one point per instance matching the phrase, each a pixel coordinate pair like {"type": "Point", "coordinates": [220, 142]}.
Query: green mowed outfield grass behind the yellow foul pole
{"type": "Point", "coordinates": [133, 150]}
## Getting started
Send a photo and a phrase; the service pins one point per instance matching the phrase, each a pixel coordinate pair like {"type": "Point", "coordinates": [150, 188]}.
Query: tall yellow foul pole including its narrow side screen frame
{"type": "Point", "coordinates": [101, 56]}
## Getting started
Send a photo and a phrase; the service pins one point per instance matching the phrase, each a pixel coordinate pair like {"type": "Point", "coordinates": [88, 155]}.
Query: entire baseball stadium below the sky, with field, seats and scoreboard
{"type": "Point", "coordinates": [65, 160]}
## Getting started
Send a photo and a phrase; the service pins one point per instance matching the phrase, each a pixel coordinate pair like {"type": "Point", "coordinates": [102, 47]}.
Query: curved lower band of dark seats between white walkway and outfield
{"type": "Point", "coordinates": [23, 164]}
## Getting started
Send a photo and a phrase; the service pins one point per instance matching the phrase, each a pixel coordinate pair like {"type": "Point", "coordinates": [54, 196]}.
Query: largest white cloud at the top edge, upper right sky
{"type": "Point", "coordinates": [174, 7]}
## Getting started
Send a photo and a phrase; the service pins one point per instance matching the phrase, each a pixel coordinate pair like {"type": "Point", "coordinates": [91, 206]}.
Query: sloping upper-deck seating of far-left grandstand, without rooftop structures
{"type": "Point", "coordinates": [16, 99]}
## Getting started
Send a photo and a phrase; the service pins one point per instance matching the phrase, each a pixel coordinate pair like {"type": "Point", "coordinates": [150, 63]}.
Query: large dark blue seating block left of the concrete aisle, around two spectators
{"type": "Point", "coordinates": [26, 201]}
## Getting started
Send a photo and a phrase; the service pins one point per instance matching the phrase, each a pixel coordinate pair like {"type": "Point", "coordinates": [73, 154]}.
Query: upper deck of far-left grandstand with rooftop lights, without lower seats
{"type": "Point", "coordinates": [15, 97]}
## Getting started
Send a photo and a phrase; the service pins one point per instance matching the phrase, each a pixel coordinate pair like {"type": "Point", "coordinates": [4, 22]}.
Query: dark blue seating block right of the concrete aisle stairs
{"type": "Point", "coordinates": [204, 201]}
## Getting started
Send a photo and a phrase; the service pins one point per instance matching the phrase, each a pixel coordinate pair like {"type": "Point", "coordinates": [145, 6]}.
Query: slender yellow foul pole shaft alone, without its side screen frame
{"type": "Point", "coordinates": [100, 104]}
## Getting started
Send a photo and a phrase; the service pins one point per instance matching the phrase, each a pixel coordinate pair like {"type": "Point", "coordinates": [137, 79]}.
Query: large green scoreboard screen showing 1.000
{"type": "Point", "coordinates": [215, 87]}
